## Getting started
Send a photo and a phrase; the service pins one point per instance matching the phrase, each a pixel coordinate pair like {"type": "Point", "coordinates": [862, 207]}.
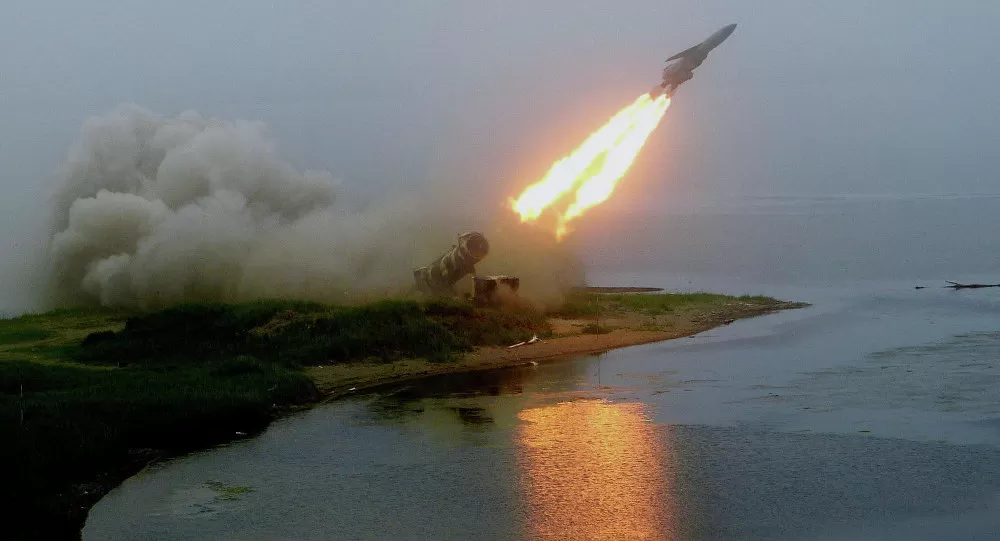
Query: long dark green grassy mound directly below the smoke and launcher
{"type": "Point", "coordinates": [305, 334]}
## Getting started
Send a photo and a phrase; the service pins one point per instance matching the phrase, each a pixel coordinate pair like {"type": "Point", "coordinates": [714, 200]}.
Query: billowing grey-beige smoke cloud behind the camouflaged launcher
{"type": "Point", "coordinates": [154, 210]}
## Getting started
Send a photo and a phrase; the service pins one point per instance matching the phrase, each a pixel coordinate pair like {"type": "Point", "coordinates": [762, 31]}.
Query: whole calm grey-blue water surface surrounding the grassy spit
{"type": "Point", "coordinates": [873, 414]}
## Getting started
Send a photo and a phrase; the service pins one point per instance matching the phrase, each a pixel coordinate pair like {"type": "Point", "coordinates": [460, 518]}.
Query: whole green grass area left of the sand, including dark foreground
{"type": "Point", "coordinates": [82, 390]}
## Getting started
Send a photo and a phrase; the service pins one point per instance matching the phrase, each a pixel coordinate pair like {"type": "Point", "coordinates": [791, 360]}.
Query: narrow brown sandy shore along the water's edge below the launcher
{"type": "Point", "coordinates": [336, 381]}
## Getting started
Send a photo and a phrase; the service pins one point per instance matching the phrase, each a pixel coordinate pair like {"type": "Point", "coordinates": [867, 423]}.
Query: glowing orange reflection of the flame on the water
{"type": "Point", "coordinates": [593, 469]}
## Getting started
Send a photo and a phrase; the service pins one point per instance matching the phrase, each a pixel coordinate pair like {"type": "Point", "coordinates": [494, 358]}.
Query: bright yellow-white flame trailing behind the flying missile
{"type": "Point", "coordinates": [591, 171]}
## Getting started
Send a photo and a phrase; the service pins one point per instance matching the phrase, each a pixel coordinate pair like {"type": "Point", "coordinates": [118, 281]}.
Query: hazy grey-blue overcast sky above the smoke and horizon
{"type": "Point", "coordinates": [804, 98]}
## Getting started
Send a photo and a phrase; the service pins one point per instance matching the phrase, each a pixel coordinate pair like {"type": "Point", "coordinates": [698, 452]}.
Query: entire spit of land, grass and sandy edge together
{"type": "Point", "coordinates": [88, 397]}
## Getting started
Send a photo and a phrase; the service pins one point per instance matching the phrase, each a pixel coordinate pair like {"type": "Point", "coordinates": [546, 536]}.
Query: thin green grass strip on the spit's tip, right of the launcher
{"type": "Point", "coordinates": [585, 304]}
